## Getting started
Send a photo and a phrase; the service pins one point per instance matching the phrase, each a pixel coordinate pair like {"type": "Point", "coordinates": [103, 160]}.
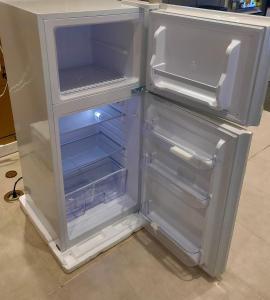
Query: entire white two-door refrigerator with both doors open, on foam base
{"type": "Point", "coordinates": [132, 115]}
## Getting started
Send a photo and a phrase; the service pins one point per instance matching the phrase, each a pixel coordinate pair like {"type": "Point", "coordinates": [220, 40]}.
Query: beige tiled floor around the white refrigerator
{"type": "Point", "coordinates": [140, 268]}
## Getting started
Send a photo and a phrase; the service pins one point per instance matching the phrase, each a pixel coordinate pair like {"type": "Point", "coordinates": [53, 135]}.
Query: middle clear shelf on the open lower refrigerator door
{"type": "Point", "coordinates": [191, 197]}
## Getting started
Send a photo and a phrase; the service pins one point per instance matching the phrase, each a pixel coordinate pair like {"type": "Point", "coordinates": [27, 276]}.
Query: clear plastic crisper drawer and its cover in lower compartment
{"type": "Point", "coordinates": [98, 183]}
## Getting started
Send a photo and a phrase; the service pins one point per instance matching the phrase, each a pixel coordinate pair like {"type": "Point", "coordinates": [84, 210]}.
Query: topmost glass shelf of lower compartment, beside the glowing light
{"type": "Point", "coordinates": [86, 118]}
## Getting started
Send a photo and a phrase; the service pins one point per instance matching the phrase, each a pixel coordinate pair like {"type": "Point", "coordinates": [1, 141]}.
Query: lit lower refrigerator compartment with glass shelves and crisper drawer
{"type": "Point", "coordinates": [100, 161]}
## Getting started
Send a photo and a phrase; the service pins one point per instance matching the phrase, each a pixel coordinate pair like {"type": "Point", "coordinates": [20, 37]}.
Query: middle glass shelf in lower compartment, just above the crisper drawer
{"type": "Point", "coordinates": [87, 151]}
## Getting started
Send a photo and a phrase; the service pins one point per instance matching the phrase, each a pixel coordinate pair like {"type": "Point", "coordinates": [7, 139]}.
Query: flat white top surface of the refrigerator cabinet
{"type": "Point", "coordinates": [54, 8]}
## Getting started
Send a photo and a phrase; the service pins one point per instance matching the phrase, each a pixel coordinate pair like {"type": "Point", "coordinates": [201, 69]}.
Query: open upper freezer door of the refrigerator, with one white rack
{"type": "Point", "coordinates": [217, 63]}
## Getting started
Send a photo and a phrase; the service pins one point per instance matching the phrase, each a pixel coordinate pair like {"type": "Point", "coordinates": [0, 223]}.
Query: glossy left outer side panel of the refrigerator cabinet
{"type": "Point", "coordinates": [35, 134]}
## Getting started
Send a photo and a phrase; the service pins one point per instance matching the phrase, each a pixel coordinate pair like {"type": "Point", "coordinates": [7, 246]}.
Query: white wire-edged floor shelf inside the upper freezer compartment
{"type": "Point", "coordinates": [84, 77]}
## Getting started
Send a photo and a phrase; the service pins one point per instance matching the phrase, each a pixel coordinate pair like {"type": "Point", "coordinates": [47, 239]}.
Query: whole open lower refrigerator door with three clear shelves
{"type": "Point", "coordinates": [192, 175]}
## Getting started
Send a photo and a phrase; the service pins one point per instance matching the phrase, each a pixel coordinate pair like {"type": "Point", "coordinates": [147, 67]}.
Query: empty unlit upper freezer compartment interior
{"type": "Point", "coordinates": [95, 54]}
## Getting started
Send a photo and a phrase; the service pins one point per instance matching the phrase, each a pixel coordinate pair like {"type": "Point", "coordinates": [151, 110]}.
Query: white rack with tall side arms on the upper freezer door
{"type": "Point", "coordinates": [216, 89]}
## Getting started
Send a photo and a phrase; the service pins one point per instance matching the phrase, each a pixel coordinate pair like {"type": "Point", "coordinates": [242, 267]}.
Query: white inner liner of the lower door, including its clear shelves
{"type": "Point", "coordinates": [187, 163]}
